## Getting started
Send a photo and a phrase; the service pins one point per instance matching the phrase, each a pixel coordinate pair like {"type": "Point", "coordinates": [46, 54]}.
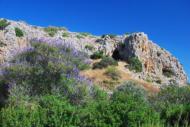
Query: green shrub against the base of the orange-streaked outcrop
{"type": "Point", "coordinates": [135, 64]}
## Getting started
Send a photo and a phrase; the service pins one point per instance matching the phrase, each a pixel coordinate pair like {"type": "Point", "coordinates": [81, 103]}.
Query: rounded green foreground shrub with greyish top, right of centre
{"type": "Point", "coordinates": [131, 103]}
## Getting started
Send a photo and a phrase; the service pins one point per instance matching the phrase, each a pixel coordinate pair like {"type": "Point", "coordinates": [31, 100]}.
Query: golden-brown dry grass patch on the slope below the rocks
{"type": "Point", "coordinates": [98, 77]}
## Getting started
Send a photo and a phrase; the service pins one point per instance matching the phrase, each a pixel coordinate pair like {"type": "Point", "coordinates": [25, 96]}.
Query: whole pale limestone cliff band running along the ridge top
{"type": "Point", "coordinates": [158, 64]}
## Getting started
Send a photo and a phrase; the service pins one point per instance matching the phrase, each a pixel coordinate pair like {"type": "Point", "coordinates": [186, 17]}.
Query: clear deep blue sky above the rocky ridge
{"type": "Point", "coordinates": [167, 22]}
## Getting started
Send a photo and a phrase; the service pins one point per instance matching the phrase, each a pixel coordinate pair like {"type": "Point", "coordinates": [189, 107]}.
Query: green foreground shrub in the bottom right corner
{"type": "Point", "coordinates": [173, 104]}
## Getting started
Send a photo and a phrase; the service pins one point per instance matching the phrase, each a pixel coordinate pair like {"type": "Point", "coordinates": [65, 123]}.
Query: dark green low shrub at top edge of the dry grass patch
{"type": "Point", "coordinates": [105, 62]}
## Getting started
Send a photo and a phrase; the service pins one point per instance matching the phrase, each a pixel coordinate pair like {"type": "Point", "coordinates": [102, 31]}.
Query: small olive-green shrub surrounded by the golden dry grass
{"type": "Point", "coordinates": [113, 73]}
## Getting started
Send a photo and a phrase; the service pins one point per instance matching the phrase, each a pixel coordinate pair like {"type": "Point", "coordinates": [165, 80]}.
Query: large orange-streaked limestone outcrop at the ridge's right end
{"type": "Point", "coordinates": [156, 61]}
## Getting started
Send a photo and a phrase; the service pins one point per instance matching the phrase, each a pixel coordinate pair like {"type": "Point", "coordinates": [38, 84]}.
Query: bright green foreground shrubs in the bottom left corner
{"type": "Point", "coordinates": [46, 111]}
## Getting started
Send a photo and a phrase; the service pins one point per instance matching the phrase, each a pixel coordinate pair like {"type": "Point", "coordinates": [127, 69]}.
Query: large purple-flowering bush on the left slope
{"type": "Point", "coordinates": [48, 68]}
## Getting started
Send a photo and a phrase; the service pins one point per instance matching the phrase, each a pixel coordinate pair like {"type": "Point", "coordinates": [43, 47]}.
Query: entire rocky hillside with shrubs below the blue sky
{"type": "Point", "coordinates": [51, 77]}
